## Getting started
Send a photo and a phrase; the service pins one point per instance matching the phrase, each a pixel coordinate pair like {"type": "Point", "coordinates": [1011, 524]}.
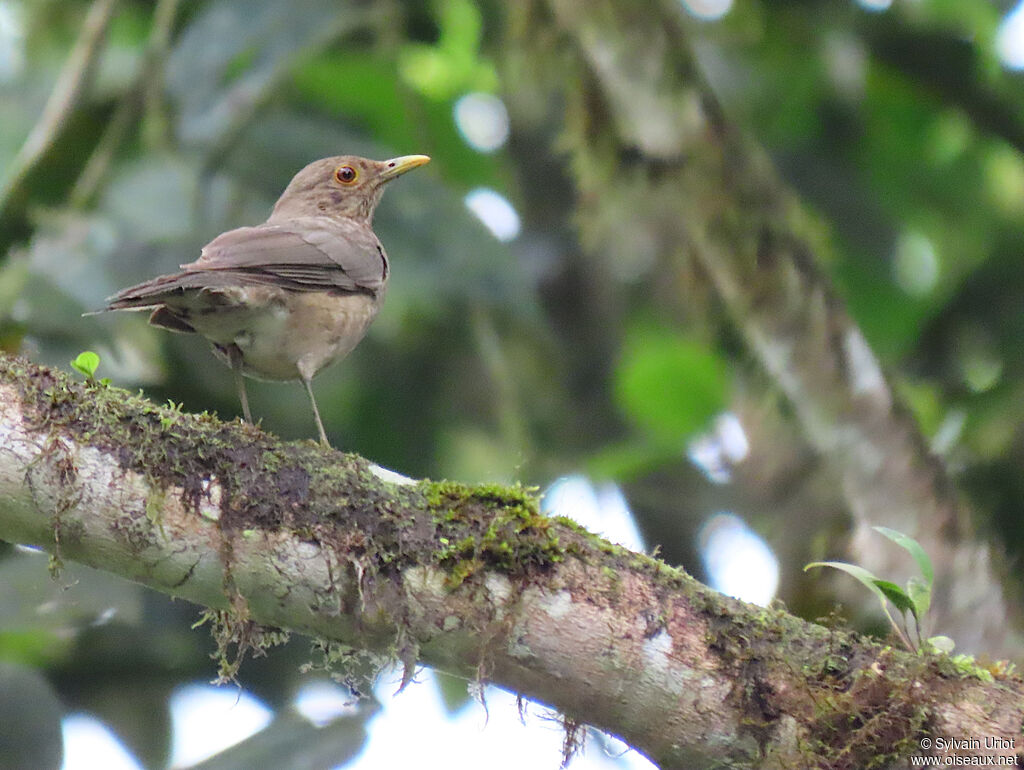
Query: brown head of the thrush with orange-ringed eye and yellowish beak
{"type": "Point", "coordinates": [345, 187]}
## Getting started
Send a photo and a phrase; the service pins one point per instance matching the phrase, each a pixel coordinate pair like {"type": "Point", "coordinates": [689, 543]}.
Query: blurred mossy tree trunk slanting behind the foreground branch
{"type": "Point", "coordinates": [666, 185]}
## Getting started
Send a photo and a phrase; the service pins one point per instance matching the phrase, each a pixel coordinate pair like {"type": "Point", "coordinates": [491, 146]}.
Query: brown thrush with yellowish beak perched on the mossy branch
{"type": "Point", "coordinates": [290, 297]}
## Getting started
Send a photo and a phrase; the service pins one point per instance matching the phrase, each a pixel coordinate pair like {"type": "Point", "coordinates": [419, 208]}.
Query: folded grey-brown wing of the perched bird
{"type": "Point", "coordinates": [310, 253]}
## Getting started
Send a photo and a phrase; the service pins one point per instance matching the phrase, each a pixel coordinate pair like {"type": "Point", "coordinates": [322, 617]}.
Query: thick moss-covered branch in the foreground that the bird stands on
{"type": "Point", "coordinates": [473, 580]}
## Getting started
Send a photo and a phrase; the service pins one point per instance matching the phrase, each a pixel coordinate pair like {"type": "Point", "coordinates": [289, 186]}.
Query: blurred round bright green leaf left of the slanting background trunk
{"type": "Point", "coordinates": [670, 386]}
